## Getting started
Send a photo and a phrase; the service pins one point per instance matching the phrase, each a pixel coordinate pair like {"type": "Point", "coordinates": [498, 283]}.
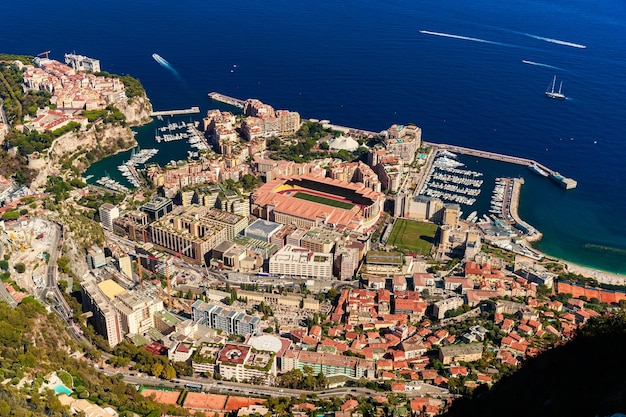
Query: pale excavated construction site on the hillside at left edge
{"type": "Point", "coordinates": [27, 246]}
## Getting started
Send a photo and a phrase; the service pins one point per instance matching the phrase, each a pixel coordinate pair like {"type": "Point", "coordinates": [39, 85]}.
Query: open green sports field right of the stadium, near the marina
{"type": "Point", "coordinates": [413, 236]}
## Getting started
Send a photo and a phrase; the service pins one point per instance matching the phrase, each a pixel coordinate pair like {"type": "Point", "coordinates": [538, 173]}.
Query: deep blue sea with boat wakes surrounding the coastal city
{"type": "Point", "coordinates": [366, 64]}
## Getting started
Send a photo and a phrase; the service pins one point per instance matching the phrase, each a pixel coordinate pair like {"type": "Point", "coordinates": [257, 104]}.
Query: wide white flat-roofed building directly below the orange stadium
{"type": "Point", "coordinates": [299, 262]}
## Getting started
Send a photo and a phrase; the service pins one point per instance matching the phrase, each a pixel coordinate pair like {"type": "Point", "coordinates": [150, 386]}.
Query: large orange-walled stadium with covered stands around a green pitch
{"type": "Point", "coordinates": [308, 201]}
